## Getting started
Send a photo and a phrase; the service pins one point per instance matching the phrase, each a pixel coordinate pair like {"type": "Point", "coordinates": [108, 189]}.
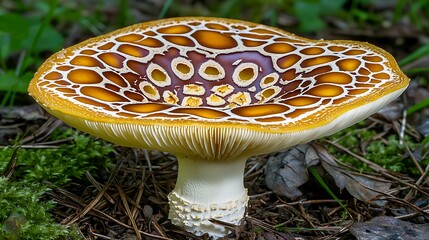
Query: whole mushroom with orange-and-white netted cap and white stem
{"type": "Point", "coordinates": [214, 92]}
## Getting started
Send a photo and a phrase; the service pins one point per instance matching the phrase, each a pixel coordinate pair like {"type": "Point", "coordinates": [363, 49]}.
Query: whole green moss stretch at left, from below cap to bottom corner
{"type": "Point", "coordinates": [23, 214]}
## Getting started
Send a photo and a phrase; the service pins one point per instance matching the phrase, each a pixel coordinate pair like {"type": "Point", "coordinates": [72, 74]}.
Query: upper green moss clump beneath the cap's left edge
{"type": "Point", "coordinates": [58, 165]}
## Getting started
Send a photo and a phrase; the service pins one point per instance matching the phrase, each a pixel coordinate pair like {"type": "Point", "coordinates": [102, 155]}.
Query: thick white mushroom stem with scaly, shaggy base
{"type": "Point", "coordinates": [208, 189]}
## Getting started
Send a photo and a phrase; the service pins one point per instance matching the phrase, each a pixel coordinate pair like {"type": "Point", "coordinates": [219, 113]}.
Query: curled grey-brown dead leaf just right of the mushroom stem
{"type": "Point", "coordinates": [287, 171]}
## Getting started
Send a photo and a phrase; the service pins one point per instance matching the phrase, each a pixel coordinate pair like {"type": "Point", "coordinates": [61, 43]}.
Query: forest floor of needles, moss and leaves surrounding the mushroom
{"type": "Point", "coordinates": [379, 184]}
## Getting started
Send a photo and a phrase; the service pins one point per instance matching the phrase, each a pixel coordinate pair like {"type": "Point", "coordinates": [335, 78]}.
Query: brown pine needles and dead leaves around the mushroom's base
{"type": "Point", "coordinates": [130, 201]}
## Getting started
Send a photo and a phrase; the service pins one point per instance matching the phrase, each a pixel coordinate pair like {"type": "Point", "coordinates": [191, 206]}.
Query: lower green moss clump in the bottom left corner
{"type": "Point", "coordinates": [24, 216]}
